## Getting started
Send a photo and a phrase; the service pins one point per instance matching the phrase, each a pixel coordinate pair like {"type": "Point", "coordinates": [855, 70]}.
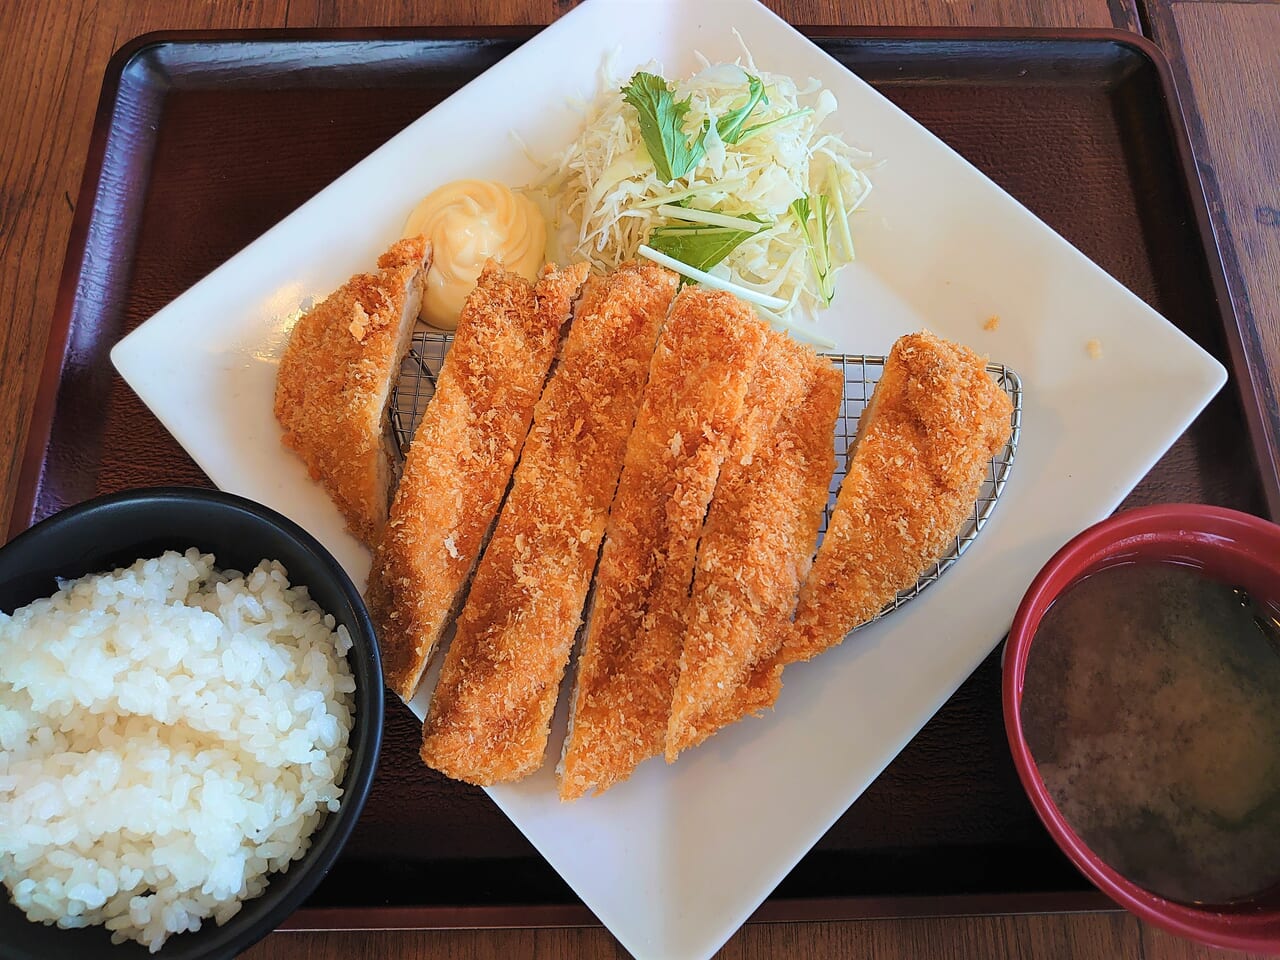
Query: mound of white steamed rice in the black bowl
{"type": "Point", "coordinates": [170, 737]}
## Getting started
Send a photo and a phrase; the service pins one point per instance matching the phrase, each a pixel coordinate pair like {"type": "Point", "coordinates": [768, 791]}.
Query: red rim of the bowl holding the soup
{"type": "Point", "coordinates": [1237, 929]}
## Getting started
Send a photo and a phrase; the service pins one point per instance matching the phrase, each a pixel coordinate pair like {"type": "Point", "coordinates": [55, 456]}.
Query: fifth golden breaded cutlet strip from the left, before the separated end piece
{"type": "Point", "coordinates": [758, 543]}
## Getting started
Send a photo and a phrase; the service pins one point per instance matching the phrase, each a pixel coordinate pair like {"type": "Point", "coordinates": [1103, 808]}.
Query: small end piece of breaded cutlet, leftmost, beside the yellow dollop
{"type": "Point", "coordinates": [335, 383]}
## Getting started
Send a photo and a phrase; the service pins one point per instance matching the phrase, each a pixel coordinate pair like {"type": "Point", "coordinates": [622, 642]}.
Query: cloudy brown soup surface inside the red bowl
{"type": "Point", "coordinates": [1153, 710]}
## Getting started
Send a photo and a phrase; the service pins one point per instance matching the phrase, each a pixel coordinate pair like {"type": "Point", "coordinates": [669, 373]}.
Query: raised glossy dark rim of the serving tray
{"type": "Point", "coordinates": [774, 911]}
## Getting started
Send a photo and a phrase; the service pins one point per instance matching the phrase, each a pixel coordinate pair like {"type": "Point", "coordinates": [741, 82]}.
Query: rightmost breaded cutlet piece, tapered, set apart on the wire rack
{"type": "Point", "coordinates": [922, 454]}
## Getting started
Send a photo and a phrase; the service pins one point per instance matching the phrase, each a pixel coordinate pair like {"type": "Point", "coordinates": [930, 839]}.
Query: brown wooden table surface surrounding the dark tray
{"type": "Point", "coordinates": [1228, 70]}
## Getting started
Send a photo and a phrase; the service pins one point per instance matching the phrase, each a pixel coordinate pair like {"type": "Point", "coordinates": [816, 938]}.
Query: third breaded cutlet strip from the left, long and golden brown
{"type": "Point", "coordinates": [492, 708]}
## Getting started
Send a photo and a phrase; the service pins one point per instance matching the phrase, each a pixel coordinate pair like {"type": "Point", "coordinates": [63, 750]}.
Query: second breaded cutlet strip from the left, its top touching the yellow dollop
{"type": "Point", "coordinates": [461, 459]}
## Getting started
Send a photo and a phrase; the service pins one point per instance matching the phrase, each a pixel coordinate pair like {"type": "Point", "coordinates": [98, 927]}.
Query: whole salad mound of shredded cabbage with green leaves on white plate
{"type": "Point", "coordinates": [726, 177]}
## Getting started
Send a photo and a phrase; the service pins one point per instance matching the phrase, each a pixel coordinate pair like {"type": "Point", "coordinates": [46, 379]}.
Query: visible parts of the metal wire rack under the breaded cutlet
{"type": "Point", "coordinates": [862, 373]}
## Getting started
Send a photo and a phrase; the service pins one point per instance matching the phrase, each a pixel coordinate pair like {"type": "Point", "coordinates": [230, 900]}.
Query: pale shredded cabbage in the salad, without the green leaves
{"type": "Point", "coordinates": [602, 195]}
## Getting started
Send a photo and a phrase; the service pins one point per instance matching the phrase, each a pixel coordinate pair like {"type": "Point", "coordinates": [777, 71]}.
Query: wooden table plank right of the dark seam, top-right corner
{"type": "Point", "coordinates": [1229, 74]}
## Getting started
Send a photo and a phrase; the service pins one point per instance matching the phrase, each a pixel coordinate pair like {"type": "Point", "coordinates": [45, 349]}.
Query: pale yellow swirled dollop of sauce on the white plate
{"type": "Point", "coordinates": [468, 222]}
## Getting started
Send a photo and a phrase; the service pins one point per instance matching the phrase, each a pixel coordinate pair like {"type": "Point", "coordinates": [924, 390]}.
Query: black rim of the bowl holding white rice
{"type": "Point", "coordinates": [358, 780]}
